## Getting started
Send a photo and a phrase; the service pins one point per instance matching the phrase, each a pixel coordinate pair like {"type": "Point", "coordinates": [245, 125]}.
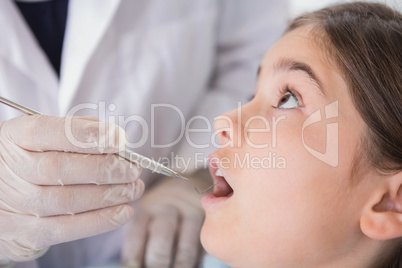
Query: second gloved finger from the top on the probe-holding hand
{"type": "Point", "coordinates": [59, 168]}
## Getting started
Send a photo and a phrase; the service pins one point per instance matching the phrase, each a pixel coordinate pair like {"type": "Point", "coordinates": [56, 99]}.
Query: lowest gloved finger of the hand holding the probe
{"type": "Point", "coordinates": [36, 234]}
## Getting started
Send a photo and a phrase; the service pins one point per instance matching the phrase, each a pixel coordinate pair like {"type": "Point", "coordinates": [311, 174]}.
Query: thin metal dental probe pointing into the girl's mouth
{"type": "Point", "coordinates": [128, 155]}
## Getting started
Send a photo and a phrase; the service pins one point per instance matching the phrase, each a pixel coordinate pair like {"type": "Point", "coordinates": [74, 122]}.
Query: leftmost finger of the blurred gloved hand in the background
{"type": "Point", "coordinates": [134, 245]}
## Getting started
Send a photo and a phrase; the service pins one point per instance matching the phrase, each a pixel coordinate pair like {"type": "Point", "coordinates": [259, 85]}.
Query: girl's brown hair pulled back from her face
{"type": "Point", "coordinates": [365, 41]}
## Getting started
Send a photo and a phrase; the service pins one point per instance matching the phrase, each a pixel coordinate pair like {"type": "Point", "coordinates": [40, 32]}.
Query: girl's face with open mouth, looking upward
{"type": "Point", "coordinates": [290, 170]}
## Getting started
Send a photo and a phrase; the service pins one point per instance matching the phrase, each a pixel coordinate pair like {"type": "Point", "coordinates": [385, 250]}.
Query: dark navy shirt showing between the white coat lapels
{"type": "Point", "coordinates": [47, 21]}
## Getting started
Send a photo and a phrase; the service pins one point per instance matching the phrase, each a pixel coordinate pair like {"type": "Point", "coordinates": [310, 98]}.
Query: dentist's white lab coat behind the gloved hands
{"type": "Point", "coordinates": [200, 56]}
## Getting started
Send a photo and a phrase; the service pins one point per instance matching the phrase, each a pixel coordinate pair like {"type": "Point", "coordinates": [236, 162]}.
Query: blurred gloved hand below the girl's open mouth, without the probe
{"type": "Point", "coordinates": [165, 231]}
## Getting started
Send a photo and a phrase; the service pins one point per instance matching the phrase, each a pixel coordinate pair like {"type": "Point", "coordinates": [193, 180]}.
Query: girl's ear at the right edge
{"type": "Point", "coordinates": [382, 216]}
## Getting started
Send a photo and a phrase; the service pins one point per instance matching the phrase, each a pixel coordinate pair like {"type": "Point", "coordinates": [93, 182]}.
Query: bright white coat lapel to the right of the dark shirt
{"type": "Point", "coordinates": [87, 22]}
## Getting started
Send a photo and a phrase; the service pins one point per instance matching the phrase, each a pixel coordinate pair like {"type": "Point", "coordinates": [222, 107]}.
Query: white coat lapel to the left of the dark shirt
{"type": "Point", "coordinates": [23, 52]}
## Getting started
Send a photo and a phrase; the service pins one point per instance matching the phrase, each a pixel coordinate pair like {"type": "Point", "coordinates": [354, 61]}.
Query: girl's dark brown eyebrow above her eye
{"type": "Point", "coordinates": [285, 64]}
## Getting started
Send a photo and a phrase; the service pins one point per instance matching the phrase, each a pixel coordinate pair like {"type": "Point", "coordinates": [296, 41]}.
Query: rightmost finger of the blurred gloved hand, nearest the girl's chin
{"type": "Point", "coordinates": [188, 245]}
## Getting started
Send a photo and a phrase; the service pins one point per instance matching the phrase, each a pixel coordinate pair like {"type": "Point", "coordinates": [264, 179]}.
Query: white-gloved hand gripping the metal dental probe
{"type": "Point", "coordinates": [53, 190]}
